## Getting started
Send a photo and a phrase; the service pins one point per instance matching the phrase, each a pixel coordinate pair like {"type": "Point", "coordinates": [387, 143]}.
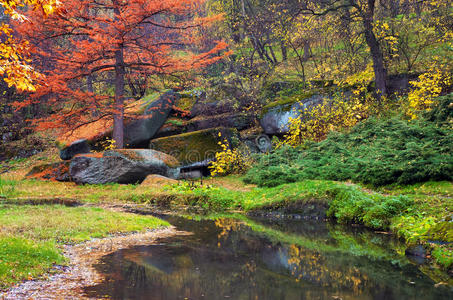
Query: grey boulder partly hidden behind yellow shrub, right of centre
{"type": "Point", "coordinates": [275, 118]}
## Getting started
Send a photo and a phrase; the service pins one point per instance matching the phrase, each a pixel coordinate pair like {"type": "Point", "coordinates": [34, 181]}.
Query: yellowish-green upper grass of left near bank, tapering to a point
{"type": "Point", "coordinates": [70, 224]}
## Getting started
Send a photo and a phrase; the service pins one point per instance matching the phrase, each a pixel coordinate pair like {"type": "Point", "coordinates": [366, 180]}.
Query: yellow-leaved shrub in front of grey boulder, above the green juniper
{"type": "Point", "coordinates": [314, 124]}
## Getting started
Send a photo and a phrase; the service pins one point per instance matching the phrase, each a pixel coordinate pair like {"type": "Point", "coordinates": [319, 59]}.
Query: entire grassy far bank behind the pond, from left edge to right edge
{"type": "Point", "coordinates": [420, 213]}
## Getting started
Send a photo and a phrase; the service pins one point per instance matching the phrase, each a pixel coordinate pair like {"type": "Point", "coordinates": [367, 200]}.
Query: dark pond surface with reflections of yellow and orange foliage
{"type": "Point", "coordinates": [234, 261]}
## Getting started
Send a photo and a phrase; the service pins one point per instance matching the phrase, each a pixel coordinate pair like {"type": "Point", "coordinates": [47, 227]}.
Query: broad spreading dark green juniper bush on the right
{"type": "Point", "coordinates": [376, 152]}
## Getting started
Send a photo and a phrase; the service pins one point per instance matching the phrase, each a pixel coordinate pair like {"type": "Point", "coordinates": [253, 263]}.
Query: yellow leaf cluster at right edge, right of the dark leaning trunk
{"type": "Point", "coordinates": [428, 86]}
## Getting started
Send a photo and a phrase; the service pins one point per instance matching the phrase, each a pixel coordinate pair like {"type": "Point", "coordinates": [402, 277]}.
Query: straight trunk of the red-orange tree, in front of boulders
{"type": "Point", "coordinates": [118, 115]}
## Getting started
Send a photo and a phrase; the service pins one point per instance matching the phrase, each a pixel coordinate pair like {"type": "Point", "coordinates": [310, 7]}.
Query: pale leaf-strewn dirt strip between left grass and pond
{"type": "Point", "coordinates": [69, 281]}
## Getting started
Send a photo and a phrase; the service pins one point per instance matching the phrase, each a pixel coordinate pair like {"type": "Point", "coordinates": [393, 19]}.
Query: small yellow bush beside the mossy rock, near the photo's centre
{"type": "Point", "coordinates": [229, 161]}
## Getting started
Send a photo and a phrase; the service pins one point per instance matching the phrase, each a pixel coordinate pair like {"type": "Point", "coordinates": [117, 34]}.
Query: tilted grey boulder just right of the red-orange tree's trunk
{"type": "Point", "coordinates": [138, 132]}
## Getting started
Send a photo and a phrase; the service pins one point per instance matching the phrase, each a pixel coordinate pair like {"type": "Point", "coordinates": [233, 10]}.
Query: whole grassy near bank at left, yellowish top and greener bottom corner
{"type": "Point", "coordinates": [31, 236]}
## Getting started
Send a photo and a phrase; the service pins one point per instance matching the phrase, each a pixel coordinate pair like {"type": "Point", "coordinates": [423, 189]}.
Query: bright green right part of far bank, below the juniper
{"type": "Point", "coordinates": [419, 213]}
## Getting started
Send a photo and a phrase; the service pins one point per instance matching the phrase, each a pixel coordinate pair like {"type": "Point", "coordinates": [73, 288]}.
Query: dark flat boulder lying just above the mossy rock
{"type": "Point", "coordinates": [239, 121]}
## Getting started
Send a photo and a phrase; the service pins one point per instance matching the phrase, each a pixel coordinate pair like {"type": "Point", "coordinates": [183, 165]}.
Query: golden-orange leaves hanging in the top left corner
{"type": "Point", "coordinates": [14, 62]}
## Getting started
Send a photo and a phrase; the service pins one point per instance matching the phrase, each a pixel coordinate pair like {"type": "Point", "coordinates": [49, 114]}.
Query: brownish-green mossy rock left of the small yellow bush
{"type": "Point", "coordinates": [195, 146]}
